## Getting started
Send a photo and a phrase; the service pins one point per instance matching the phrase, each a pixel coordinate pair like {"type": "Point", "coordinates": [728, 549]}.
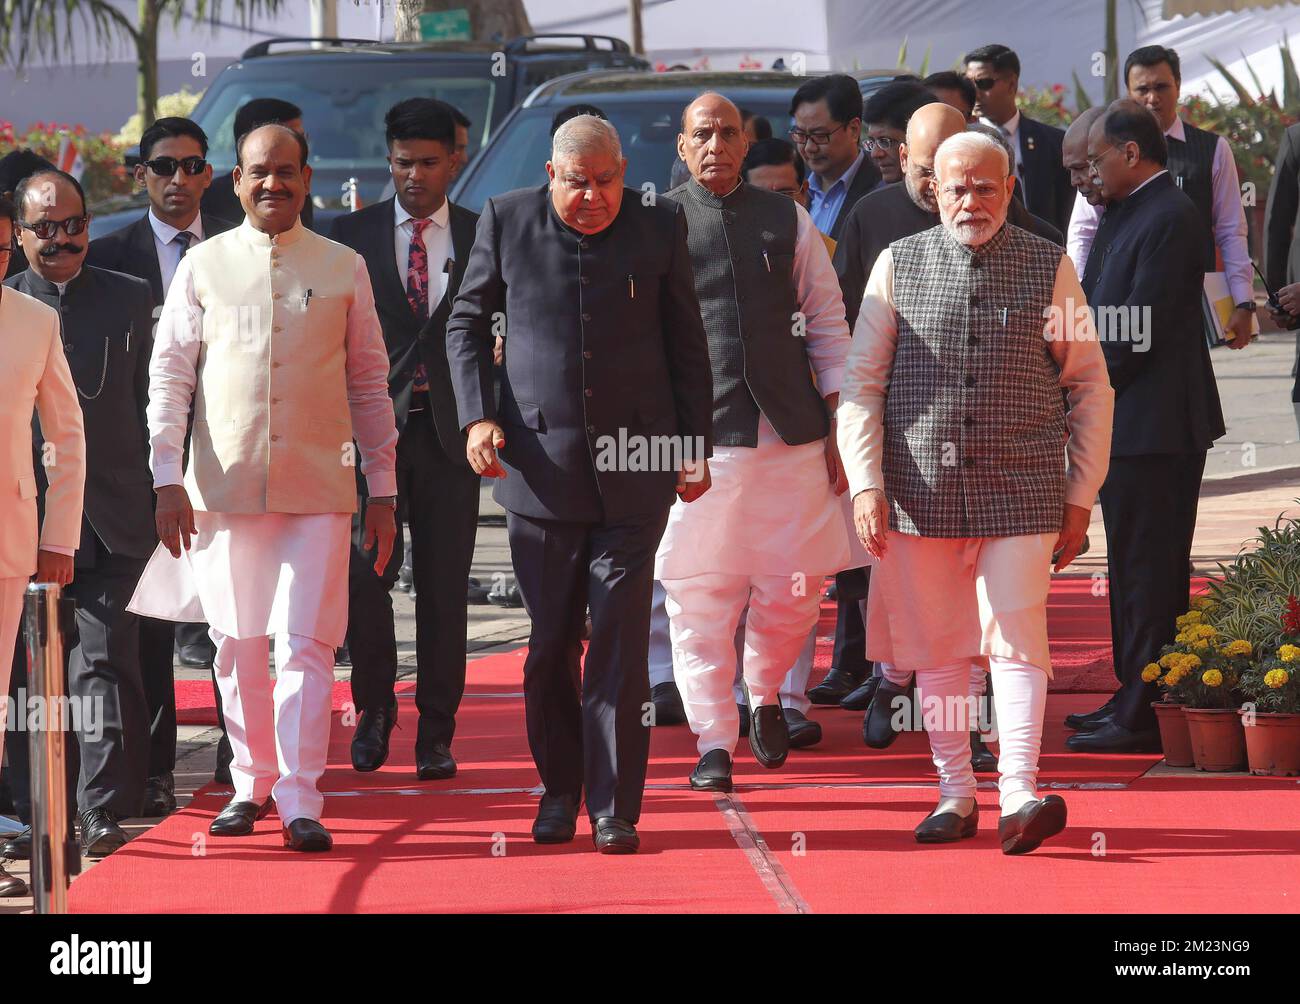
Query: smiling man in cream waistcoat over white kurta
{"type": "Point", "coordinates": [271, 332]}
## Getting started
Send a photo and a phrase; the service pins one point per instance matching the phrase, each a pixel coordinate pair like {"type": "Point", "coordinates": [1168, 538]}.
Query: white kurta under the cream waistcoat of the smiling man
{"type": "Point", "coordinates": [253, 575]}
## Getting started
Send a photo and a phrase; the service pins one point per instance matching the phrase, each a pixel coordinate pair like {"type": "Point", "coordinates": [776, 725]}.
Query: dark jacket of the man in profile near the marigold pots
{"type": "Point", "coordinates": [1150, 254]}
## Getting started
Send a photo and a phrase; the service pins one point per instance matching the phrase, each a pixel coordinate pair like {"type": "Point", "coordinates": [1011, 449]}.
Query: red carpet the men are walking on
{"type": "Point", "coordinates": [830, 832]}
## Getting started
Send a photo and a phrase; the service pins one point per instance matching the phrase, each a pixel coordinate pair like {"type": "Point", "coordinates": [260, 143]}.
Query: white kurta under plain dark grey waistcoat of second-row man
{"type": "Point", "coordinates": [772, 509]}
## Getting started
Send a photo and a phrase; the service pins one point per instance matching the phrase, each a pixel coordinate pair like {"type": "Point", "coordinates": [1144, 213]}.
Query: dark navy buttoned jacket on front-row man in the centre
{"type": "Point", "coordinates": [604, 339]}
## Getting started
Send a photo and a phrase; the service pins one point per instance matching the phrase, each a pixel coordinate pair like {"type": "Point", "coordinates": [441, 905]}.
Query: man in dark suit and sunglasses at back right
{"type": "Point", "coordinates": [1045, 185]}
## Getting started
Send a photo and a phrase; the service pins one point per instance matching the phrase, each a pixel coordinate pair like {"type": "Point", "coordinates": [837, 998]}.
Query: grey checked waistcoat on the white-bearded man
{"type": "Point", "coordinates": [974, 431]}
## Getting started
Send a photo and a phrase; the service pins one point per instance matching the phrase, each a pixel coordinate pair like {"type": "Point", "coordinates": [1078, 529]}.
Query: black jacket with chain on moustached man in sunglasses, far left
{"type": "Point", "coordinates": [109, 337]}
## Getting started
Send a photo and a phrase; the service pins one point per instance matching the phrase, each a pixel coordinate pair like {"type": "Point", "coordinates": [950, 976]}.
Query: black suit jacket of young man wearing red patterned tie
{"type": "Point", "coordinates": [370, 232]}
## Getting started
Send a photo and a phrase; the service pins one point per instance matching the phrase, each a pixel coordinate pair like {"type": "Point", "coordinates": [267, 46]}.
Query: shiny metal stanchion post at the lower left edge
{"type": "Point", "coordinates": [54, 855]}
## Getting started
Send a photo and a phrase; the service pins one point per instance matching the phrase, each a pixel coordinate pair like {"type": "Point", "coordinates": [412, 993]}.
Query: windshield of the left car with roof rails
{"type": "Point", "coordinates": [344, 105]}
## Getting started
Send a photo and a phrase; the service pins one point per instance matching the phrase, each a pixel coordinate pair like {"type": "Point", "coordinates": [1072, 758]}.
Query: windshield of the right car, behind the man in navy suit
{"type": "Point", "coordinates": [648, 131]}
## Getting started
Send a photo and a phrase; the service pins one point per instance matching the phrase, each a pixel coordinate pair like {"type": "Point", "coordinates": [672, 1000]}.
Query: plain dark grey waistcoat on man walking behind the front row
{"type": "Point", "coordinates": [743, 256]}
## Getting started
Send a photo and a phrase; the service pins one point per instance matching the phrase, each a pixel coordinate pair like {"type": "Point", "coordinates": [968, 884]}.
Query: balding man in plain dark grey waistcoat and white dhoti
{"type": "Point", "coordinates": [772, 529]}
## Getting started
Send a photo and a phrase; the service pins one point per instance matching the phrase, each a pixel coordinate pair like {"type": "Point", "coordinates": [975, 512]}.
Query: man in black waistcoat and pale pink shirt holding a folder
{"type": "Point", "coordinates": [1202, 165]}
